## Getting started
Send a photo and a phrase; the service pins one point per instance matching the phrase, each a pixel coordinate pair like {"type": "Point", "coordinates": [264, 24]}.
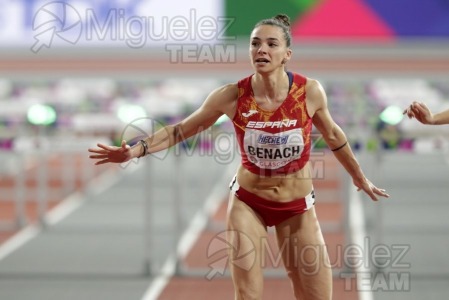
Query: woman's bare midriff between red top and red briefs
{"type": "Point", "coordinates": [280, 188]}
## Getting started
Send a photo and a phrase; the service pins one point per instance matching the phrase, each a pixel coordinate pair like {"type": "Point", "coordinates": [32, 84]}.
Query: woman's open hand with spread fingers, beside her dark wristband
{"type": "Point", "coordinates": [111, 154]}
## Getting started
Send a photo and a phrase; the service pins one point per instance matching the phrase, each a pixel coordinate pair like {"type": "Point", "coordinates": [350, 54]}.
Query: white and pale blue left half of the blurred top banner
{"type": "Point", "coordinates": [123, 23]}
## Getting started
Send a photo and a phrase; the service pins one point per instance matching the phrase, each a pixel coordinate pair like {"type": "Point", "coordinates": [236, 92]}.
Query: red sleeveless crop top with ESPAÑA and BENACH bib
{"type": "Point", "coordinates": [273, 142]}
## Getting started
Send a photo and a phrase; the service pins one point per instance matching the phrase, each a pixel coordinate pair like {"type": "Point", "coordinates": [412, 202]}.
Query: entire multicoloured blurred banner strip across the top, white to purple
{"type": "Point", "coordinates": [37, 24]}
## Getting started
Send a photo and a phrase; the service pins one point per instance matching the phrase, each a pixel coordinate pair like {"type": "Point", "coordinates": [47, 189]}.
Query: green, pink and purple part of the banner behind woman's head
{"type": "Point", "coordinates": [357, 20]}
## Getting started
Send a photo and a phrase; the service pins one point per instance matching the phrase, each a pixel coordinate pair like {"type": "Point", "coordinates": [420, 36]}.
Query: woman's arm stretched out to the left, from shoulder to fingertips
{"type": "Point", "coordinates": [219, 102]}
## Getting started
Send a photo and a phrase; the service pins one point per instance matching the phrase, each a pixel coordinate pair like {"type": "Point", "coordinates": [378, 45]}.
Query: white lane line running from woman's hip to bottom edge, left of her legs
{"type": "Point", "coordinates": [190, 235]}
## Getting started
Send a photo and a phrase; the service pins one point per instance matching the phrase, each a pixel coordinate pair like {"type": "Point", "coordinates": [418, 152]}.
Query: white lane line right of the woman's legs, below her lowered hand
{"type": "Point", "coordinates": [358, 234]}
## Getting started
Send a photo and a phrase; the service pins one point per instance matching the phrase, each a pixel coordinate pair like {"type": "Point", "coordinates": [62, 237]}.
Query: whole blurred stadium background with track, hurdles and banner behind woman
{"type": "Point", "coordinates": [75, 73]}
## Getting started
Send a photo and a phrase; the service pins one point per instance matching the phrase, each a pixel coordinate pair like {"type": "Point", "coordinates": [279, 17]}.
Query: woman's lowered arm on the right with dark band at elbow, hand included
{"type": "Point", "coordinates": [337, 141]}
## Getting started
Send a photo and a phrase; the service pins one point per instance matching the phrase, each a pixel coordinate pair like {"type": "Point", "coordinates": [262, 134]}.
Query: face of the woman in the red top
{"type": "Point", "coordinates": [268, 49]}
